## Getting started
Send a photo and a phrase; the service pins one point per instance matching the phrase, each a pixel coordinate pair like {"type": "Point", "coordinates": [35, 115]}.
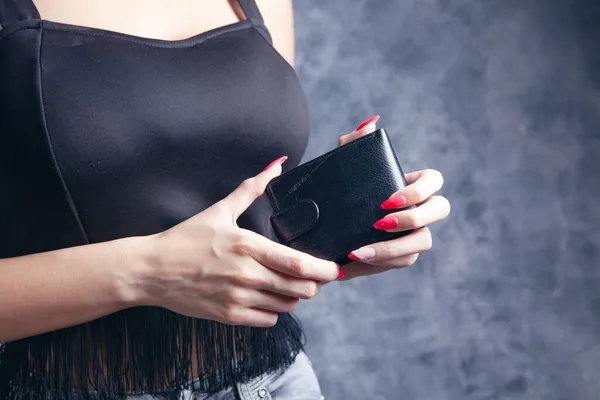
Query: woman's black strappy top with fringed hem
{"type": "Point", "coordinates": [107, 135]}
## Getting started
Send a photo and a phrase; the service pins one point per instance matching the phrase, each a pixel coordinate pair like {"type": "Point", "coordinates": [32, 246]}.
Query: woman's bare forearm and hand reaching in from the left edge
{"type": "Point", "coordinates": [205, 267]}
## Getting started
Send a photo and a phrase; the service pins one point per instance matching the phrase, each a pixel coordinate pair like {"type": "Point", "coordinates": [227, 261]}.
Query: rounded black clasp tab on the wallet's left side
{"type": "Point", "coordinates": [295, 220]}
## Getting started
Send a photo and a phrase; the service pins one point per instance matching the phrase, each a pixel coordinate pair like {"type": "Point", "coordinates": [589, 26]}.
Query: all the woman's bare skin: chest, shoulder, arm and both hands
{"type": "Point", "coordinates": [238, 276]}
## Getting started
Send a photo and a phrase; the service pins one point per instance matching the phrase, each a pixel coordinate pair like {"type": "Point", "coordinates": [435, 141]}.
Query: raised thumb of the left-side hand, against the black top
{"type": "Point", "coordinates": [252, 188]}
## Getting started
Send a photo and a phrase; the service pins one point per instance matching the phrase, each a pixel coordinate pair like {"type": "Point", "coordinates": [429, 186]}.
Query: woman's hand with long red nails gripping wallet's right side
{"type": "Point", "coordinates": [401, 252]}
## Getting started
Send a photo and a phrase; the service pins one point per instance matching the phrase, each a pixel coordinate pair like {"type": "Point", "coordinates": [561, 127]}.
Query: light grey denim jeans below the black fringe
{"type": "Point", "coordinates": [297, 382]}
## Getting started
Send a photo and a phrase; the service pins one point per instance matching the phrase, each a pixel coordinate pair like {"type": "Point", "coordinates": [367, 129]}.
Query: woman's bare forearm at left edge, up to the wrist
{"type": "Point", "coordinates": [48, 291]}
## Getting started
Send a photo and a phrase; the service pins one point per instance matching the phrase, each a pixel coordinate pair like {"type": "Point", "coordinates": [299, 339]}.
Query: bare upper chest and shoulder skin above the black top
{"type": "Point", "coordinates": [158, 19]}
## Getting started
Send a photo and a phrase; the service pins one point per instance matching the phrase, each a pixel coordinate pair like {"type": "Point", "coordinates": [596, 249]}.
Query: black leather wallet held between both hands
{"type": "Point", "coordinates": [327, 206]}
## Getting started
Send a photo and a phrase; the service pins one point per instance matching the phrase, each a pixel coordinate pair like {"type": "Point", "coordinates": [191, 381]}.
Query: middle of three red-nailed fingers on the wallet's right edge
{"type": "Point", "coordinates": [431, 210]}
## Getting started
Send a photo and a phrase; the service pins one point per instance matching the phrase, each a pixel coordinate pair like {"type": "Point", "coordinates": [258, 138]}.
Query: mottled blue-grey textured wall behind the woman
{"type": "Point", "coordinates": [502, 97]}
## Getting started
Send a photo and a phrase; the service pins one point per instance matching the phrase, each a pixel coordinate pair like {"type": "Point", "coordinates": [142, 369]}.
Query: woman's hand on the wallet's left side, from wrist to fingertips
{"type": "Point", "coordinates": [208, 267]}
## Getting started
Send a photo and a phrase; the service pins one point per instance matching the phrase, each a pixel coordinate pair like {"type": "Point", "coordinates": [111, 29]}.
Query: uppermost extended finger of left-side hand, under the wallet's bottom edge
{"type": "Point", "coordinates": [284, 259]}
